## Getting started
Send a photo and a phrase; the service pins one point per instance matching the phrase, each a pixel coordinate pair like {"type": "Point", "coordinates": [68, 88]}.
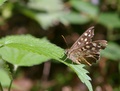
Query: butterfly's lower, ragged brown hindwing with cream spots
{"type": "Point", "coordinates": [90, 53]}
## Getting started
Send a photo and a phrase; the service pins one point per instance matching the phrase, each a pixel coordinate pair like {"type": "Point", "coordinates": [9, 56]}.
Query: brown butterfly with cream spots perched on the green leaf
{"type": "Point", "coordinates": [84, 50]}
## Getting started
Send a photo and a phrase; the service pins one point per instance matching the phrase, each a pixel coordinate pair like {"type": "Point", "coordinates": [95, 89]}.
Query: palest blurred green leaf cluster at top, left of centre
{"type": "Point", "coordinates": [52, 12]}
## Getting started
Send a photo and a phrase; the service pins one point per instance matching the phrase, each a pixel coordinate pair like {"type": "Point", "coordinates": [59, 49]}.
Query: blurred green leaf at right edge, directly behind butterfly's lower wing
{"type": "Point", "coordinates": [111, 49]}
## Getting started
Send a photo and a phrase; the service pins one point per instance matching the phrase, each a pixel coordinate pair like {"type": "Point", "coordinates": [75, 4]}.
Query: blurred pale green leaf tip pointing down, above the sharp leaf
{"type": "Point", "coordinates": [47, 20]}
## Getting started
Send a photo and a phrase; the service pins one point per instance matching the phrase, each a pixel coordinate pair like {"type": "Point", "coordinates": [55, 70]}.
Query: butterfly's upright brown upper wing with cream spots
{"type": "Point", "coordinates": [85, 38]}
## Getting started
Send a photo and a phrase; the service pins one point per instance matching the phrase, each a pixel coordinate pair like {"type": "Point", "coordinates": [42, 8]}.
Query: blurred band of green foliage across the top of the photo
{"type": "Point", "coordinates": [50, 13]}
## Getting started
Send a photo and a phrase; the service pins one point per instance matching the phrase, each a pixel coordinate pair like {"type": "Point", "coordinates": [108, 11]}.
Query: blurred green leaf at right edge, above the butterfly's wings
{"type": "Point", "coordinates": [110, 20]}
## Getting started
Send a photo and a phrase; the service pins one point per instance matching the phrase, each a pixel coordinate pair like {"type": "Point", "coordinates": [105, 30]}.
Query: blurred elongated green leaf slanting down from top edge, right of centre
{"type": "Point", "coordinates": [85, 7]}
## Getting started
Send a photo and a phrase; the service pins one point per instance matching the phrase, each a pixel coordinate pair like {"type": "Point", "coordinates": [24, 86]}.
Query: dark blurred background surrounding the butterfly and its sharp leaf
{"type": "Point", "coordinates": [70, 18]}
